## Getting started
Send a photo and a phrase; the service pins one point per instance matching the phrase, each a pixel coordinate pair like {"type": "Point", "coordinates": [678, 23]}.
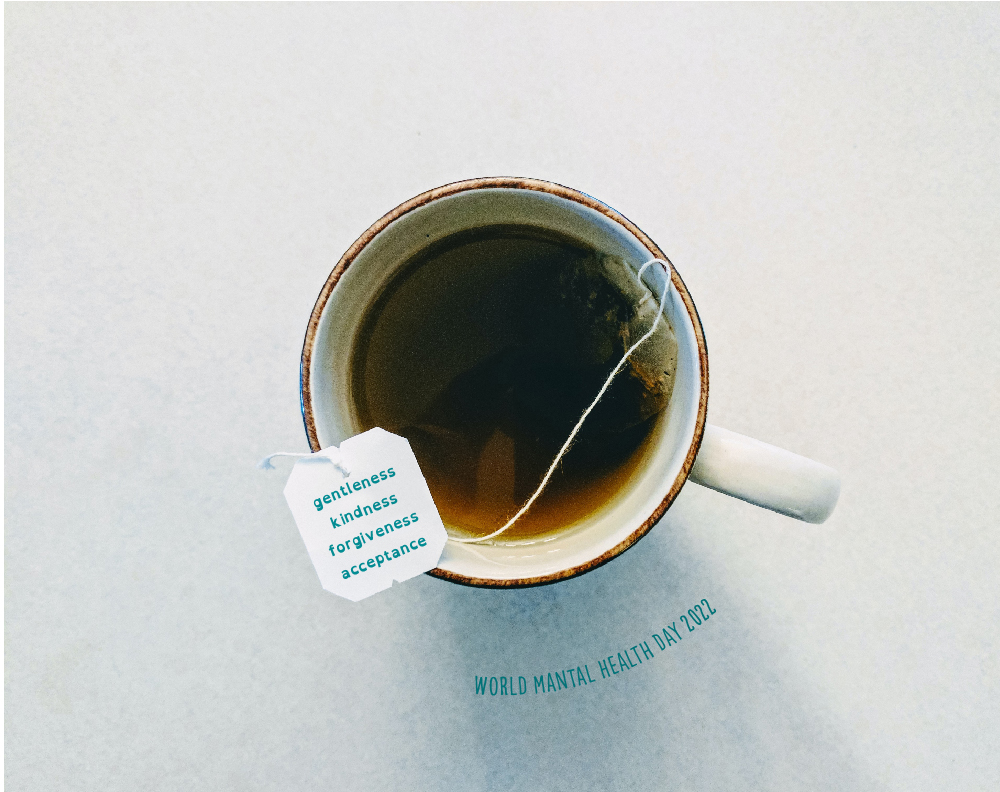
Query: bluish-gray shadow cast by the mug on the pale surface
{"type": "Point", "coordinates": [708, 712]}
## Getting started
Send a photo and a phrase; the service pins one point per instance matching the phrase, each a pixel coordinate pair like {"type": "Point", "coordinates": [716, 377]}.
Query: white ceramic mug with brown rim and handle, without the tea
{"type": "Point", "coordinates": [684, 446]}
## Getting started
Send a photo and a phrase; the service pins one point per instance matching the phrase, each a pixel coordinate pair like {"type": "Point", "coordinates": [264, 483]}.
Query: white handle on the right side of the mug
{"type": "Point", "coordinates": [765, 475]}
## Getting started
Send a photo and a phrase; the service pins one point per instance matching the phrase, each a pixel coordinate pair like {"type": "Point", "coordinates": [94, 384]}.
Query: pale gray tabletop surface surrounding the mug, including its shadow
{"type": "Point", "coordinates": [181, 179]}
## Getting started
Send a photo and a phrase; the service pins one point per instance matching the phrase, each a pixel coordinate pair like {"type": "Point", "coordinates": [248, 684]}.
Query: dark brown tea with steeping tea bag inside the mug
{"type": "Point", "coordinates": [484, 351]}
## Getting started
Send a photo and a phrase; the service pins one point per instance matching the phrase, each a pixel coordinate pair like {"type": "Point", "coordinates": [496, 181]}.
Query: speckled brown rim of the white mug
{"type": "Point", "coordinates": [561, 191]}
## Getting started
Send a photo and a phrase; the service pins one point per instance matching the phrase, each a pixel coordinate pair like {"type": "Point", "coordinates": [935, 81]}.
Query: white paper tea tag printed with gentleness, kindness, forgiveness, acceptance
{"type": "Point", "coordinates": [374, 525]}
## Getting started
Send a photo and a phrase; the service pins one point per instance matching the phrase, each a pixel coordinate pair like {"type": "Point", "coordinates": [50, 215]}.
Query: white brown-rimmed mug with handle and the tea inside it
{"type": "Point", "coordinates": [478, 320]}
